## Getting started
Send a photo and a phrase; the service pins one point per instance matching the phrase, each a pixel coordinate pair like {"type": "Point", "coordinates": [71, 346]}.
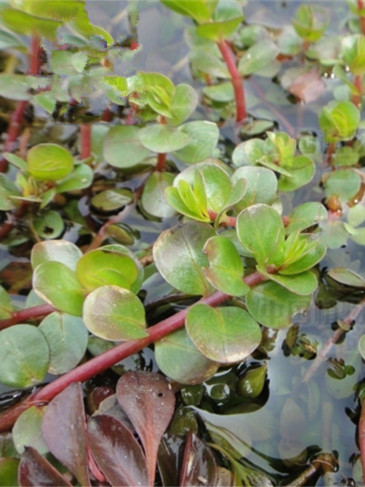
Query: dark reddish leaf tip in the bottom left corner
{"type": "Point", "coordinates": [35, 470]}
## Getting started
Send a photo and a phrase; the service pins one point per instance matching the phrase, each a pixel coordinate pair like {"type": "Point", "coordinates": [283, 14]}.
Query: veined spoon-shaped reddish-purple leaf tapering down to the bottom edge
{"type": "Point", "coordinates": [149, 402]}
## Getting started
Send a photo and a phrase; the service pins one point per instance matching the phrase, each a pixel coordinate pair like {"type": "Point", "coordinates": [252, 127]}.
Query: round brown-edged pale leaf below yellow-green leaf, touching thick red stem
{"type": "Point", "coordinates": [113, 313]}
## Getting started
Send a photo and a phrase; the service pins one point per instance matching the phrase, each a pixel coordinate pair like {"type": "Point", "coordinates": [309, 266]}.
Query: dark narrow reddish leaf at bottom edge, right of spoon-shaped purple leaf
{"type": "Point", "coordinates": [199, 466]}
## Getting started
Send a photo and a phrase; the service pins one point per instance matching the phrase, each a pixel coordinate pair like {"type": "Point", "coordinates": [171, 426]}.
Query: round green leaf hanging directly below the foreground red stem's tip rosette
{"type": "Point", "coordinates": [274, 306]}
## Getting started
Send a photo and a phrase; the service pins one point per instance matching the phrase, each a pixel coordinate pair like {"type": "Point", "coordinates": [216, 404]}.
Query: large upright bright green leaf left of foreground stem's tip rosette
{"type": "Point", "coordinates": [261, 232]}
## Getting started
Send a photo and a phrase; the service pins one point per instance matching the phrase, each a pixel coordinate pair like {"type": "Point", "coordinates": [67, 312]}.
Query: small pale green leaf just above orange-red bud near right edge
{"type": "Point", "coordinates": [343, 183]}
